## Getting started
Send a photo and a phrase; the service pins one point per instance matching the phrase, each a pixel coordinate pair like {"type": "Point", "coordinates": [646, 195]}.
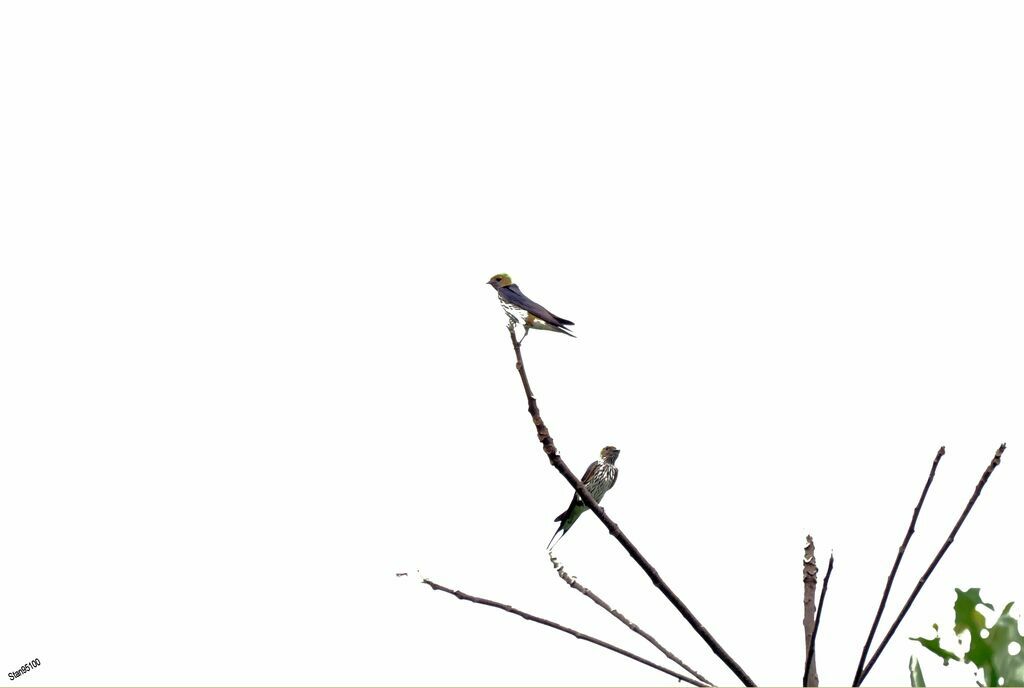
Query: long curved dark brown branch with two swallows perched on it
{"type": "Point", "coordinates": [549, 448]}
